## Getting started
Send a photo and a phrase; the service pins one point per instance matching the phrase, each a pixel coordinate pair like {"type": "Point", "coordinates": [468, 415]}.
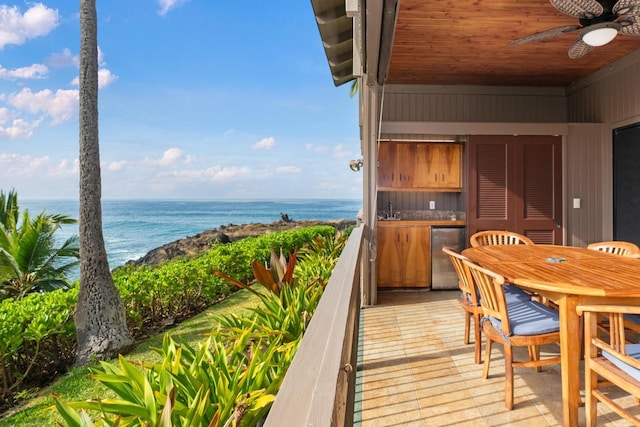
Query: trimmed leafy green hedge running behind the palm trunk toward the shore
{"type": "Point", "coordinates": [37, 333]}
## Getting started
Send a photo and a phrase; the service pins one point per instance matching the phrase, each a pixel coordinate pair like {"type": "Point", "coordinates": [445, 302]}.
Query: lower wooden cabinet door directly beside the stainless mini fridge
{"type": "Point", "coordinates": [417, 256]}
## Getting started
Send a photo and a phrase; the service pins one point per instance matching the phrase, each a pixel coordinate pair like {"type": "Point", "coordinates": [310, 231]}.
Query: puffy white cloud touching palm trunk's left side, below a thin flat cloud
{"type": "Point", "coordinates": [61, 106]}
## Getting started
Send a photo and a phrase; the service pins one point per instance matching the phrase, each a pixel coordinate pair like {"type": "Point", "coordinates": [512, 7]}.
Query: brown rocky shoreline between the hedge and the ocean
{"type": "Point", "coordinates": [201, 242]}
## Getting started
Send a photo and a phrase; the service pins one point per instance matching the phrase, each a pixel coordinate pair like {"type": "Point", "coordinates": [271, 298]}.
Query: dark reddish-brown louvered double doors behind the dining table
{"type": "Point", "coordinates": [515, 183]}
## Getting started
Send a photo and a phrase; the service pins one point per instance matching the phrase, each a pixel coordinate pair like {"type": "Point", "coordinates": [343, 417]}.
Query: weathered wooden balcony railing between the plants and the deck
{"type": "Point", "coordinates": [319, 387]}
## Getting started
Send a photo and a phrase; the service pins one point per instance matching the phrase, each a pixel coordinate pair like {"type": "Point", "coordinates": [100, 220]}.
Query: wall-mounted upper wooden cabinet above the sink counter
{"type": "Point", "coordinates": [420, 166]}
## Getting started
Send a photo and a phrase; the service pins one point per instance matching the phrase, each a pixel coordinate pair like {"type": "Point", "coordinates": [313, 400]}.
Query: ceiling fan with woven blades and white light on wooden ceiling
{"type": "Point", "coordinates": [600, 22]}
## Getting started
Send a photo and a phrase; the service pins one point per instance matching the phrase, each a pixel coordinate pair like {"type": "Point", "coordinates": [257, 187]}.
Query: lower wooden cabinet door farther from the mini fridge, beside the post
{"type": "Point", "coordinates": [390, 256]}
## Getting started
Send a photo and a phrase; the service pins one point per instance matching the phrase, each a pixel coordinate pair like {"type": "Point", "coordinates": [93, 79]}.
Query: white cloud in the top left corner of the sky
{"type": "Point", "coordinates": [16, 28]}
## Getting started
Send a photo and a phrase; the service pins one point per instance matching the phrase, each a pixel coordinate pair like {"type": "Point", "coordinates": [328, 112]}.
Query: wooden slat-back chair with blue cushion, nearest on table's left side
{"type": "Point", "coordinates": [518, 324]}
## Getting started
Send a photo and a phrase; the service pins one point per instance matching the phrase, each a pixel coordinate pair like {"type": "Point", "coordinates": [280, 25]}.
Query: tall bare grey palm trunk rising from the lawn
{"type": "Point", "coordinates": [100, 318]}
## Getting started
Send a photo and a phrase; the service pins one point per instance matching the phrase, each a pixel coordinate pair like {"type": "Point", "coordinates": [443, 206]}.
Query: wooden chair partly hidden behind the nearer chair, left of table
{"type": "Point", "coordinates": [469, 300]}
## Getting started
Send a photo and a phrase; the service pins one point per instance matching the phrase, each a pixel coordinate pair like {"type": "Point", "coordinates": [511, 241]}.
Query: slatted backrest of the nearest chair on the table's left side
{"type": "Point", "coordinates": [492, 293]}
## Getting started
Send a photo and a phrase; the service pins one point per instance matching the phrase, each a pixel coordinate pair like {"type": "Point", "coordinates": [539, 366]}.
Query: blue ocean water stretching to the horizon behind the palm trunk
{"type": "Point", "coordinates": [134, 227]}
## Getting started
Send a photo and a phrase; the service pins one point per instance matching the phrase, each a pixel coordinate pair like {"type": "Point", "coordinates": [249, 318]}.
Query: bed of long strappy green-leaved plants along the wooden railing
{"type": "Point", "coordinates": [230, 379]}
